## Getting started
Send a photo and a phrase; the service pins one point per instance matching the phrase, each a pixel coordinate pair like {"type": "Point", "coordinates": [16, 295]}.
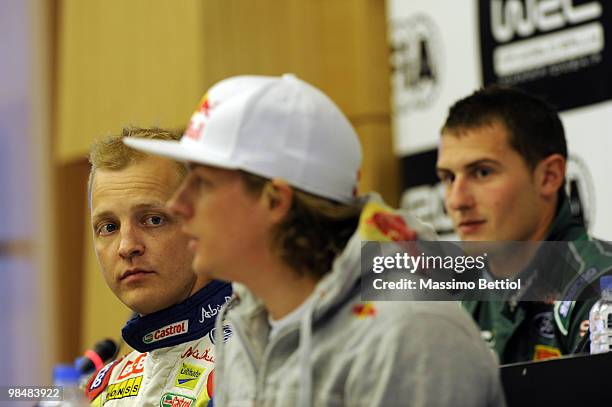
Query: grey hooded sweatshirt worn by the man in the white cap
{"type": "Point", "coordinates": [346, 352]}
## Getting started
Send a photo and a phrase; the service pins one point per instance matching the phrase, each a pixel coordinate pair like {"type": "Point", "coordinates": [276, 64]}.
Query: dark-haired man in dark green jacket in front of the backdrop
{"type": "Point", "coordinates": [502, 158]}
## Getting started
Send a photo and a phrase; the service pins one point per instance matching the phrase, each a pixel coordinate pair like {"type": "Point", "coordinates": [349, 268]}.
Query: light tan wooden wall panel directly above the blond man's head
{"type": "Point", "coordinates": [122, 62]}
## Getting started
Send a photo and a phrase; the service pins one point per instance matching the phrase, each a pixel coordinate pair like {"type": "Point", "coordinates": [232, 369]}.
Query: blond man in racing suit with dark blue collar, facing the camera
{"type": "Point", "coordinates": [145, 260]}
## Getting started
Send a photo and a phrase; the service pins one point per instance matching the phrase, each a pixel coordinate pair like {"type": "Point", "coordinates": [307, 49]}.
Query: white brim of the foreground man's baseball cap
{"type": "Point", "coordinates": [178, 151]}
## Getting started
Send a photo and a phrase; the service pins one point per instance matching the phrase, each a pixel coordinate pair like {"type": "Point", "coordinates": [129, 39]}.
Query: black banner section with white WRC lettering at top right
{"type": "Point", "coordinates": [556, 49]}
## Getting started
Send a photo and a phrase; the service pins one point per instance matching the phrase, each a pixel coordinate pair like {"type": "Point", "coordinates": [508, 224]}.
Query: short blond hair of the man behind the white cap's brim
{"type": "Point", "coordinates": [110, 153]}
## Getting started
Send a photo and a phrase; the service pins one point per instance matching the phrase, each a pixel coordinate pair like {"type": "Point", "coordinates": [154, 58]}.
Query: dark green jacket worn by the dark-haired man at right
{"type": "Point", "coordinates": [525, 331]}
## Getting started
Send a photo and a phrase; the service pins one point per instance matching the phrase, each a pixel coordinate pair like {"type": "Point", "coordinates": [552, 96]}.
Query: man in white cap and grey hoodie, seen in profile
{"type": "Point", "coordinates": [270, 204]}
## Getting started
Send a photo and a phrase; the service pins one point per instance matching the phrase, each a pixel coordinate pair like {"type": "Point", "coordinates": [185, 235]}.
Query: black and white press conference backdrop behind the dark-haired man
{"type": "Point", "coordinates": [559, 49]}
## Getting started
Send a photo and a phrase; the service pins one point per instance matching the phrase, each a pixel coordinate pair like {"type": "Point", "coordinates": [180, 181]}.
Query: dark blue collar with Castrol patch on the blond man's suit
{"type": "Point", "coordinates": [183, 322]}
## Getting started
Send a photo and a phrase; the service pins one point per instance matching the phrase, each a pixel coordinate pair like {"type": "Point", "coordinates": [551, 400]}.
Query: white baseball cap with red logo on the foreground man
{"type": "Point", "coordinates": [274, 127]}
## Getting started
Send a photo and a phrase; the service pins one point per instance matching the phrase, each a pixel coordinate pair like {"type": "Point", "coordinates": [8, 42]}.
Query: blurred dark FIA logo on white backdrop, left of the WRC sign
{"type": "Point", "coordinates": [416, 61]}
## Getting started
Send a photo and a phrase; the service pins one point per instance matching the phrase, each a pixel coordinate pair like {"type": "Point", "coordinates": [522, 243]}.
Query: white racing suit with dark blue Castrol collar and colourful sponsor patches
{"type": "Point", "coordinates": [173, 360]}
